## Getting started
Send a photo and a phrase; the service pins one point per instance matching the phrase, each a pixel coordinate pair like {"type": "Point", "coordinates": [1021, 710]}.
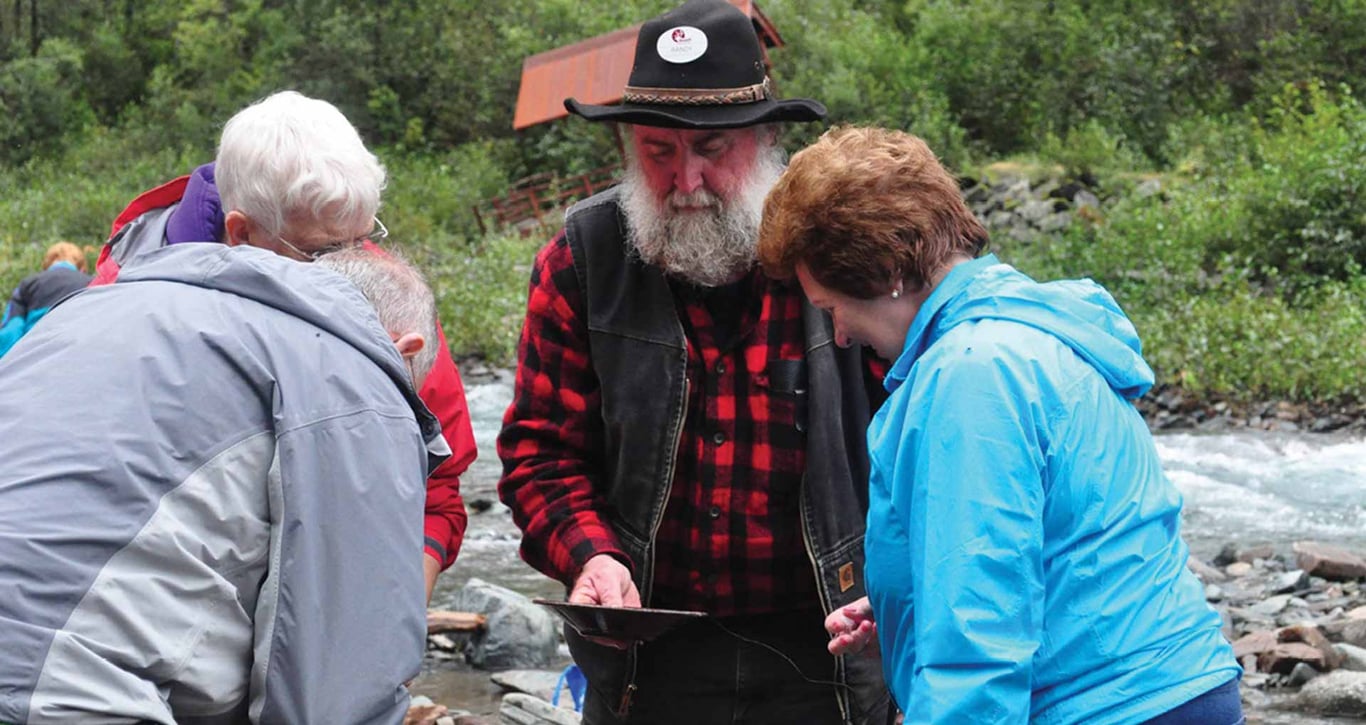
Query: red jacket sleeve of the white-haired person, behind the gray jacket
{"type": "Point", "coordinates": [446, 518]}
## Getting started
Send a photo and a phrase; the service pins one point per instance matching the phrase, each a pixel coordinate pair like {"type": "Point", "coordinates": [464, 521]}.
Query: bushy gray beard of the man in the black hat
{"type": "Point", "coordinates": [711, 248]}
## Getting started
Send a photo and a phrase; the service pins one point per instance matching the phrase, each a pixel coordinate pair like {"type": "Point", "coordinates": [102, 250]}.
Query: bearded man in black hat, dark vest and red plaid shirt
{"type": "Point", "coordinates": [685, 435]}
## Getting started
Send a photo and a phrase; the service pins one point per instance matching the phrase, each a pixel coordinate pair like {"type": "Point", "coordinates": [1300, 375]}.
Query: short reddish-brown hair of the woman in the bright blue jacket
{"type": "Point", "coordinates": [863, 208]}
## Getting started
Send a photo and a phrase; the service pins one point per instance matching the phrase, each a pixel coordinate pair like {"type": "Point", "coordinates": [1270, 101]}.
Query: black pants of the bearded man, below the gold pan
{"type": "Point", "coordinates": [703, 675]}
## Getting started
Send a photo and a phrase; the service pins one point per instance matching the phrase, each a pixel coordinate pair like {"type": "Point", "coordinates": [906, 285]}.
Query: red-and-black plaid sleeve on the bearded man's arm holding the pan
{"type": "Point", "coordinates": [553, 435]}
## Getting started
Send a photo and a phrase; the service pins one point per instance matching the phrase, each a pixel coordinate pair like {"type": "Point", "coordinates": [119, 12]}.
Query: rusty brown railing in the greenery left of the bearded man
{"type": "Point", "coordinates": [539, 201]}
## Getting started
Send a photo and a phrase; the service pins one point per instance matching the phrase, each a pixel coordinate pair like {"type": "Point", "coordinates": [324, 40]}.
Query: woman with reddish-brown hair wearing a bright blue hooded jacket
{"type": "Point", "coordinates": [1024, 550]}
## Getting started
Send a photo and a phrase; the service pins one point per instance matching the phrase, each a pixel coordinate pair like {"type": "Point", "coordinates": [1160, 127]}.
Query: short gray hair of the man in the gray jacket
{"type": "Point", "coordinates": [398, 292]}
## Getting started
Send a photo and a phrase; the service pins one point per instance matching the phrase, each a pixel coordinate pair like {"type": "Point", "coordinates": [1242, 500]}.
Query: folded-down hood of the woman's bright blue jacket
{"type": "Point", "coordinates": [1080, 313]}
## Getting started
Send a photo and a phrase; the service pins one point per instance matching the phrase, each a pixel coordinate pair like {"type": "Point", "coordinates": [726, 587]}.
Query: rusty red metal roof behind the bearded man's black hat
{"type": "Point", "coordinates": [595, 72]}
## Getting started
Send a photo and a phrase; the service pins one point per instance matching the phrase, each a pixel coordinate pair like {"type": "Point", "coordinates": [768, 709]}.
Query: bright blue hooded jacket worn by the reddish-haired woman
{"type": "Point", "coordinates": [1024, 558]}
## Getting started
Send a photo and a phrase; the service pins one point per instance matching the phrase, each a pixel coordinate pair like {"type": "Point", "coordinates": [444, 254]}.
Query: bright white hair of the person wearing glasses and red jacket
{"type": "Point", "coordinates": [292, 155]}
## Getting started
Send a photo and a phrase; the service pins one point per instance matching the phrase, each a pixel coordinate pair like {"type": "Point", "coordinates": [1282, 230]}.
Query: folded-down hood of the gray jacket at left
{"type": "Point", "coordinates": [313, 294]}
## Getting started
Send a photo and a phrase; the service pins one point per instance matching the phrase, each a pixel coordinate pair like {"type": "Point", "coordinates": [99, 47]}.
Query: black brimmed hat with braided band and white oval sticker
{"type": "Point", "coordinates": [700, 66]}
